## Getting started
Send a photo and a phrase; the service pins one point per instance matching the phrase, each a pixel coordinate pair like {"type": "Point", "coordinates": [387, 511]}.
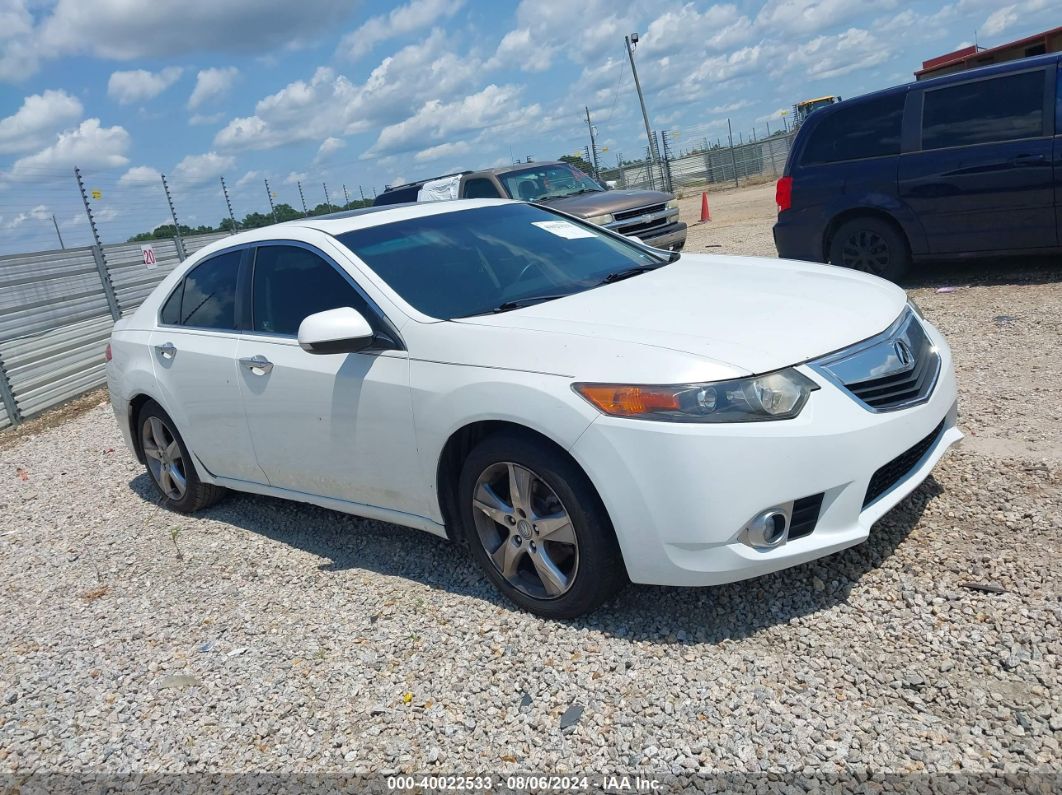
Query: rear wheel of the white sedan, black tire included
{"type": "Point", "coordinates": [170, 465]}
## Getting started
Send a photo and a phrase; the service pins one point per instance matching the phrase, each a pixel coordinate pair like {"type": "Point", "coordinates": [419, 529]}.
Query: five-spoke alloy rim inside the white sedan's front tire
{"type": "Point", "coordinates": [526, 531]}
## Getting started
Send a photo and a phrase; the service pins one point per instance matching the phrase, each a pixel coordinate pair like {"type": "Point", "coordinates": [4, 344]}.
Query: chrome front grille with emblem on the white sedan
{"type": "Point", "coordinates": [893, 371]}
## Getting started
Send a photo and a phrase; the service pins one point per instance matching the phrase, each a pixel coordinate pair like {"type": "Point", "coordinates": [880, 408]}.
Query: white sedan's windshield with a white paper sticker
{"type": "Point", "coordinates": [485, 260]}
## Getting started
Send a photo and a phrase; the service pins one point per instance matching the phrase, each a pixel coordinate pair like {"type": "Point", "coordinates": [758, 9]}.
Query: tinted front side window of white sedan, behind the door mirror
{"type": "Point", "coordinates": [292, 283]}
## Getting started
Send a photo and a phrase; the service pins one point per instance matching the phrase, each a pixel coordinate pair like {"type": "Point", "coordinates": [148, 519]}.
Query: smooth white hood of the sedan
{"type": "Point", "coordinates": [705, 317]}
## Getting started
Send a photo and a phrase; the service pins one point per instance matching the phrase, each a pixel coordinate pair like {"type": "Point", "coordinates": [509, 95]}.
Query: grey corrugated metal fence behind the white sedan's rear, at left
{"type": "Point", "coordinates": [57, 309]}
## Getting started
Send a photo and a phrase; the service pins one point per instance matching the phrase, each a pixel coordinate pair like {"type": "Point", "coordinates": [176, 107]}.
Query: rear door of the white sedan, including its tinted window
{"type": "Point", "coordinates": [194, 350]}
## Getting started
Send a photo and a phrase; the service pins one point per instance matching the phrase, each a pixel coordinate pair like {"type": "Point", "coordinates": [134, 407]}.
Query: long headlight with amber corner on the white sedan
{"type": "Point", "coordinates": [779, 395]}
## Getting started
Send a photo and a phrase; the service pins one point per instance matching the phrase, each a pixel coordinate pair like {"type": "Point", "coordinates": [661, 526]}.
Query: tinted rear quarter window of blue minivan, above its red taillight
{"type": "Point", "coordinates": [865, 130]}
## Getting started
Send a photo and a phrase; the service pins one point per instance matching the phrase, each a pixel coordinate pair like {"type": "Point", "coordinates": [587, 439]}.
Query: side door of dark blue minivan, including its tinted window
{"type": "Point", "coordinates": [982, 180]}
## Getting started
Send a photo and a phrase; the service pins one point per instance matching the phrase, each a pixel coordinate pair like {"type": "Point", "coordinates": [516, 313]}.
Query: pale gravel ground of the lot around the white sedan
{"type": "Point", "coordinates": [271, 636]}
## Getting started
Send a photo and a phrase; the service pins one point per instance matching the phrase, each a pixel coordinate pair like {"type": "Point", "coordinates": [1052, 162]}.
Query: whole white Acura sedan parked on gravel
{"type": "Point", "coordinates": [577, 409]}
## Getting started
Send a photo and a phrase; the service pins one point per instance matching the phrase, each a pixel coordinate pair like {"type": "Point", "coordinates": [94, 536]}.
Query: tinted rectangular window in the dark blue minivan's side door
{"type": "Point", "coordinates": [998, 110]}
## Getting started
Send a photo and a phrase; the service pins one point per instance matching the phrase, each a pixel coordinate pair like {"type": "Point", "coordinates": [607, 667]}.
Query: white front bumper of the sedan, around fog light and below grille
{"type": "Point", "coordinates": [680, 495]}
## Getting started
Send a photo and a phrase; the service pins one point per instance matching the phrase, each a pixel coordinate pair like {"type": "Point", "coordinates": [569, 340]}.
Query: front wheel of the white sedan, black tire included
{"type": "Point", "coordinates": [538, 529]}
